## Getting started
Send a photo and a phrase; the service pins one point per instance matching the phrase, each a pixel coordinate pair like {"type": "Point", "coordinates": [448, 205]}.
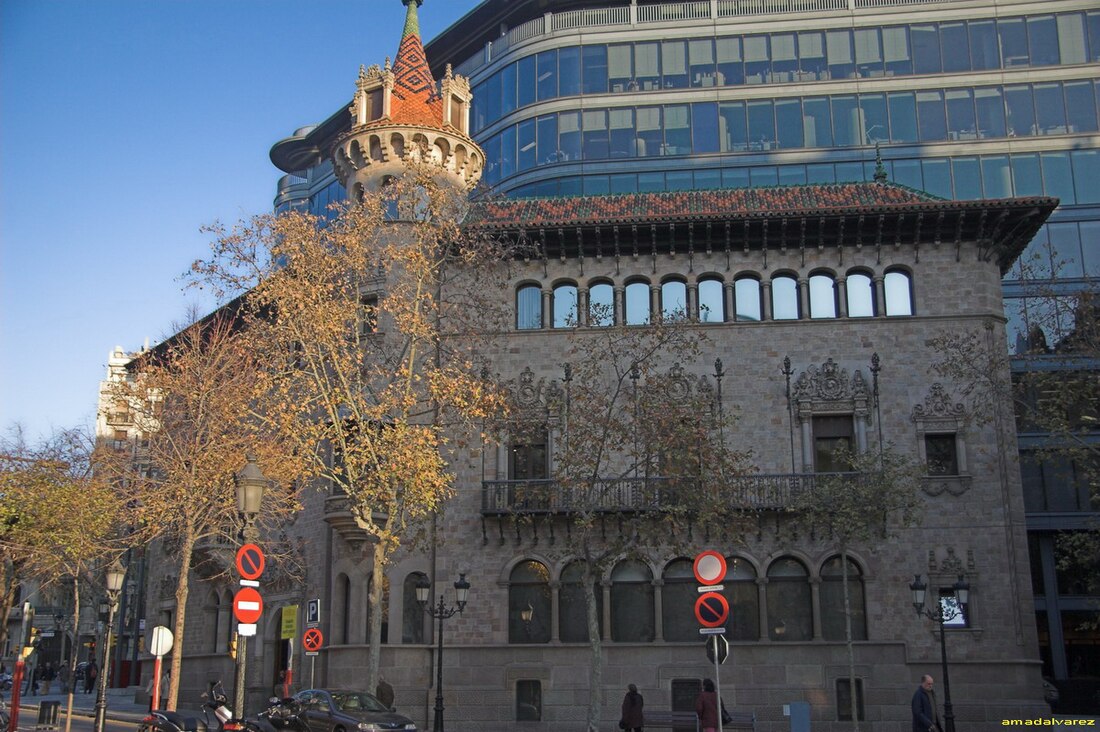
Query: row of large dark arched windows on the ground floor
{"type": "Point", "coordinates": [634, 607]}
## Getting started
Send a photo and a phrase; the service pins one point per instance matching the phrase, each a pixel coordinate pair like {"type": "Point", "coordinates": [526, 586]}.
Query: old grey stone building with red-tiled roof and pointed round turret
{"type": "Point", "coordinates": [822, 302]}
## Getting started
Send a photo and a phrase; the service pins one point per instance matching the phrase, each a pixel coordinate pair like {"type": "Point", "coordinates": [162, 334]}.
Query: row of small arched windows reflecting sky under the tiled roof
{"type": "Point", "coordinates": [785, 297]}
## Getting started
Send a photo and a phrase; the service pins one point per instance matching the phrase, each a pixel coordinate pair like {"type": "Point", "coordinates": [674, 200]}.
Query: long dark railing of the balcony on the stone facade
{"type": "Point", "coordinates": [641, 495]}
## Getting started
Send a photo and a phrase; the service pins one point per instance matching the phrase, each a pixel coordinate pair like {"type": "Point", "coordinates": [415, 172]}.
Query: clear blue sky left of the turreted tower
{"type": "Point", "coordinates": [126, 126]}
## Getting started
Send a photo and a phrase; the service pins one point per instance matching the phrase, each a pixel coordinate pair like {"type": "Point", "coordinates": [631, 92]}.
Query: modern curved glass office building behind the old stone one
{"type": "Point", "coordinates": [964, 100]}
